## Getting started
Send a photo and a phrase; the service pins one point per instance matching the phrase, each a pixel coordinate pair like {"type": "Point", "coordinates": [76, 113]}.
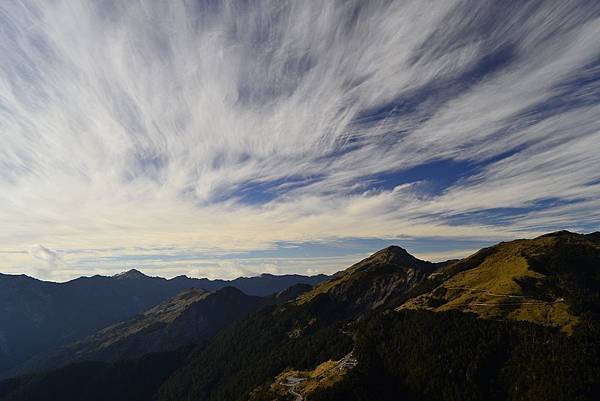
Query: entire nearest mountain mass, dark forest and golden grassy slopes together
{"type": "Point", "coordinates": [519, 320]}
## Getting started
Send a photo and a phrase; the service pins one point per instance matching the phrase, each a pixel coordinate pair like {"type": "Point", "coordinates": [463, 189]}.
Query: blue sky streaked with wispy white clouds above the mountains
{"type": "Point", "coordinates": [227, 138]}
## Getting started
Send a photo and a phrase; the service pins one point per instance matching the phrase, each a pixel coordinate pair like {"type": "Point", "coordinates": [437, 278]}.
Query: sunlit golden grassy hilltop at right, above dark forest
{"type": "Point", "coordinates": [536, 280]}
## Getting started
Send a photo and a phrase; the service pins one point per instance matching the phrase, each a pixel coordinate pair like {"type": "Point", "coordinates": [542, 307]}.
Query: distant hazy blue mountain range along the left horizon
{"type": "Point", "coordinates": [37, 316]}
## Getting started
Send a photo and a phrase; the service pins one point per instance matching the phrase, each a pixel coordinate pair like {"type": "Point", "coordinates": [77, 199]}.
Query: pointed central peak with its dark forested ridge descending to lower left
{"type": "Point", "coordinates": [301, 334]}
